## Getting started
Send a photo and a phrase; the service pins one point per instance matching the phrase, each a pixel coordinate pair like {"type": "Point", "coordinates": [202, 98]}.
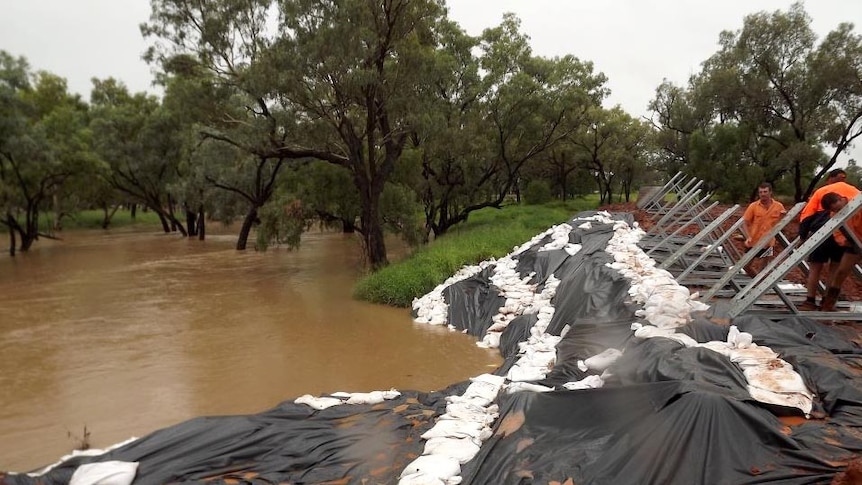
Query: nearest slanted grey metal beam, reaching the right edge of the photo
{"type": "Point", "coordinates": [771, 278]}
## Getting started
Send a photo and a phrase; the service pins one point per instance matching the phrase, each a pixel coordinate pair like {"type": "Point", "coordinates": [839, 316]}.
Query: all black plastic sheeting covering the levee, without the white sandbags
{"type": "Point", "coordinates": [667, 414]}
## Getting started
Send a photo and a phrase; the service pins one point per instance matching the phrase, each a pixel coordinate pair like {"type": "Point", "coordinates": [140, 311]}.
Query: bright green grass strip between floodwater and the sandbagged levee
{"type": "Point", "coordinates": [489, 233]}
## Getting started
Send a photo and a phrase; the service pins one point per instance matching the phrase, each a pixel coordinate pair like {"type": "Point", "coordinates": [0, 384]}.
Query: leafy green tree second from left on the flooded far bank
{"type": "Point", "coordinates": [141, 142]}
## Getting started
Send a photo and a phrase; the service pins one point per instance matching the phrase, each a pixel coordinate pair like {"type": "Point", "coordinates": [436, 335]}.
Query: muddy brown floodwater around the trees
{"type": "Point", "coordinates": [128, 332]}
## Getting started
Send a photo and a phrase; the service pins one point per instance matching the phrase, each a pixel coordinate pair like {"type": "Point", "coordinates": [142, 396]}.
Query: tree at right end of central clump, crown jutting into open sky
{"type": "Point", "coordinates": [531, 103]}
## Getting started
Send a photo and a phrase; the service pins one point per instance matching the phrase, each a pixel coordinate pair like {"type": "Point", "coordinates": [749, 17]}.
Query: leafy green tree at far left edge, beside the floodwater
{"type": "Point", "coordinates": [43, 144]}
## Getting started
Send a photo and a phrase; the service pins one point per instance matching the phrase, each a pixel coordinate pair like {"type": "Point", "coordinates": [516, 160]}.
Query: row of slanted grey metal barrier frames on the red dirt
{"type": "Point", "coordinates": [707, 260]}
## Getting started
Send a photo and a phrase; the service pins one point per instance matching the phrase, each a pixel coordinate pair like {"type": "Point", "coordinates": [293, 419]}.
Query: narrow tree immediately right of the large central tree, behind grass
{"type": "Point", "coordinates": [451, 144]}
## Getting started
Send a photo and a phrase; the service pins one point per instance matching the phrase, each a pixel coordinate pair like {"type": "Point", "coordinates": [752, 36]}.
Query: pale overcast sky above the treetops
{"type": "Point", "coordinates": [636, 43]}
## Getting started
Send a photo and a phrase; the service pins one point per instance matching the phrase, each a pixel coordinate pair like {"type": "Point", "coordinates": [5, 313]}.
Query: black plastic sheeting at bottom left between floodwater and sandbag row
{"type": "Point", "coordinates": [291, 443]}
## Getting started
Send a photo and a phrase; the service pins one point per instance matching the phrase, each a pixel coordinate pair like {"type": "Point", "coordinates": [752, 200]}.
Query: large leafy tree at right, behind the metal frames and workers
{"type": "Point", "coordinates": [773, 103]}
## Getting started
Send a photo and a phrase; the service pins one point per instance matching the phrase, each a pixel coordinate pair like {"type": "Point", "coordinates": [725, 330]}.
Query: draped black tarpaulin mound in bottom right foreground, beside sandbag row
{"type": "Point", "coordinates": [657, 433]}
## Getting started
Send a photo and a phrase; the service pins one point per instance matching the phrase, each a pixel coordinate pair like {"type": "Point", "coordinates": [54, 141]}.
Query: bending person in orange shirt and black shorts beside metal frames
{"type": "Point", "coordinates": [810, 219]}
